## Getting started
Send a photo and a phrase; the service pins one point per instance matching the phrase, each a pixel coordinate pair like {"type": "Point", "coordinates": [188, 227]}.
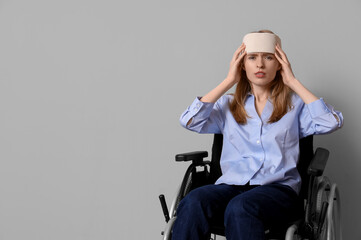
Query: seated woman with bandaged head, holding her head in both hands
{"type": "Point", "coordinates": [261, 124]}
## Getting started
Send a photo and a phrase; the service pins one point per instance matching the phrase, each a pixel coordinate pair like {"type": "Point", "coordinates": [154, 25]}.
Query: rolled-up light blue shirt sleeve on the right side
{"type": "Point", "coordinates": [319, 118]}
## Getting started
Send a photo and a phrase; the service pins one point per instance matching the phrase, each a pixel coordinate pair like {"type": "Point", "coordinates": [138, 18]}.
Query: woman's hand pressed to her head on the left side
{"type": "Point", "coordinates": [234, 73]}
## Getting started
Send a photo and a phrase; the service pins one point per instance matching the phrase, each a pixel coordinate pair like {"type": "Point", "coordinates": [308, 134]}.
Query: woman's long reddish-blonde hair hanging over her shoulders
{"type": "Point", "coordinates": [280, 96]}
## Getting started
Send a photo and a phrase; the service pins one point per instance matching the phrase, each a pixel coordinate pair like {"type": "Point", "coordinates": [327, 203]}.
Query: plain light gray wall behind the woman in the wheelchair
{"type": "Point", "coordinates": [91, 92]}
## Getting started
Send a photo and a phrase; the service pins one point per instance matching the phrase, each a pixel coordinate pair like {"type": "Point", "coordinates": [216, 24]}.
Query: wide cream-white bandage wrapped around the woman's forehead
{"type": "Point", "coordinates": [261, 42]}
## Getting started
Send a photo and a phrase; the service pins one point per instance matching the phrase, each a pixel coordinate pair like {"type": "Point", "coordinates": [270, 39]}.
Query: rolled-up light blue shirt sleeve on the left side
{"type": "Point", "coordinates": [203, 117]}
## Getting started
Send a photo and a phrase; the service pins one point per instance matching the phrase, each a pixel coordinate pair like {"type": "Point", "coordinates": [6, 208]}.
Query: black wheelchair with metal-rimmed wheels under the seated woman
{"type": "Point", "coordinates": [321, 218]}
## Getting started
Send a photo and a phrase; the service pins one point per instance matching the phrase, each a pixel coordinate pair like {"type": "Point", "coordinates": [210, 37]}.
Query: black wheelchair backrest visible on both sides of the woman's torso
{"type": "Point", "coordinates": [306, 155]}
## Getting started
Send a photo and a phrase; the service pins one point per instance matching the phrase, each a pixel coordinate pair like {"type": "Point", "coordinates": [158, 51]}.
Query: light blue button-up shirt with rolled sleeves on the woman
{"type": "Point", "coordinates": [259, 152]}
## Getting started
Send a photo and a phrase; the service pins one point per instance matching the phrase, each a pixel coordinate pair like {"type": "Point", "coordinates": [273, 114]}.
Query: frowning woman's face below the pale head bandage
{"type": "Point", "coordinates": [261, 68]}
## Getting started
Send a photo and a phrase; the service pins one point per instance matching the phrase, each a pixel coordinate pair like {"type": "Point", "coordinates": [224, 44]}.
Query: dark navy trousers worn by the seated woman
{"type": "Point", "coordinates": [246, 211]}
